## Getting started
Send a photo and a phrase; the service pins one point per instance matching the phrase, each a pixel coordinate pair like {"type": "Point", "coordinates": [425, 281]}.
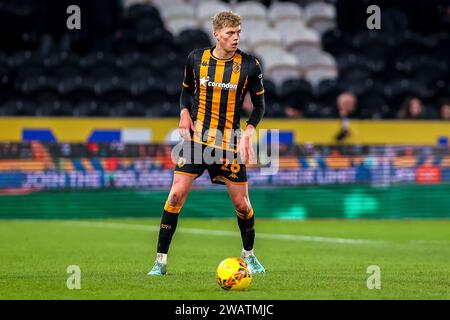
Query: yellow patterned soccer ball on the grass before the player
{"type": "Point", "coordinates": [233, 274]}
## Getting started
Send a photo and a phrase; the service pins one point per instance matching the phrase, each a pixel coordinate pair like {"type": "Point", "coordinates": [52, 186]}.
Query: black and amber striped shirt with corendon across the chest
{"type": "Point", "coordinates": [217, 88]}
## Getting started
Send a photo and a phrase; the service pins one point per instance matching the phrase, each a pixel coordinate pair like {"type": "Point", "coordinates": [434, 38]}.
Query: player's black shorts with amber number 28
{"type": "Point", "coordinates": [221, 165]}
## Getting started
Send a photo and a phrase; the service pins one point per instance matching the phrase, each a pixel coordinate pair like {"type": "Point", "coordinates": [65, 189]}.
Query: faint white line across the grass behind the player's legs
{"type": "Point", "coordinates": [278, 236]}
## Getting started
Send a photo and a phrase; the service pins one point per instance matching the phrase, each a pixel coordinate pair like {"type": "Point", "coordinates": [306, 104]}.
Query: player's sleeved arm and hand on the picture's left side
{"type": "Point", "coordinates": [186, 99]}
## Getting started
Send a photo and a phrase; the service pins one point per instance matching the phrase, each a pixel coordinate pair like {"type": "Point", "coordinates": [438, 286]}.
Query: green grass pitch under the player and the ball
{"type": "Point", "coordinates": [312, 259]}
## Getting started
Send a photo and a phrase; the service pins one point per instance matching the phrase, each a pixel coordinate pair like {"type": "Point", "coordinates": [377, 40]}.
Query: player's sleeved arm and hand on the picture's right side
{"type": "Point", "coordinates": [256, 89]}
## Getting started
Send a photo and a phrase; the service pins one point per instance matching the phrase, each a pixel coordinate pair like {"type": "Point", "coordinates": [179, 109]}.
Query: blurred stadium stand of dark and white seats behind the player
{"type": "Point", "coordinates": [311, 51]}
